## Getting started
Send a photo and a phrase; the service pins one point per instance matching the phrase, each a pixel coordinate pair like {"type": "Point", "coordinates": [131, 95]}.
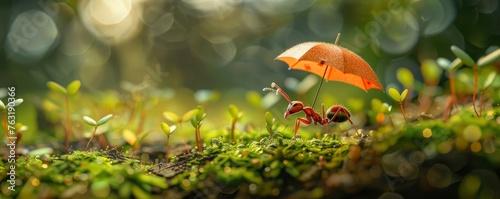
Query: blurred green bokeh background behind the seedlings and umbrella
{"type": "Point", "coordinates": [192, 49]}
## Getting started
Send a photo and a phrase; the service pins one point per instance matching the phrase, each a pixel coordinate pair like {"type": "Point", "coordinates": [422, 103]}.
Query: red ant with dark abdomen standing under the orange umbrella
{"type": "Point", "coordinates": [336, 113]}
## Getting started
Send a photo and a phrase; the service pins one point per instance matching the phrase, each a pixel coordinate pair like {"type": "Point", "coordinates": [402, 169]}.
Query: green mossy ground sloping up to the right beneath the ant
{"type": "Point", "coordinates": [426, 157]}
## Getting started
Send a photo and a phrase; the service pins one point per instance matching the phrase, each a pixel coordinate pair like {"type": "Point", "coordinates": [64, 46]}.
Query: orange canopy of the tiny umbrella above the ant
{"type": "Point", "coordinates": [341, 64]}
